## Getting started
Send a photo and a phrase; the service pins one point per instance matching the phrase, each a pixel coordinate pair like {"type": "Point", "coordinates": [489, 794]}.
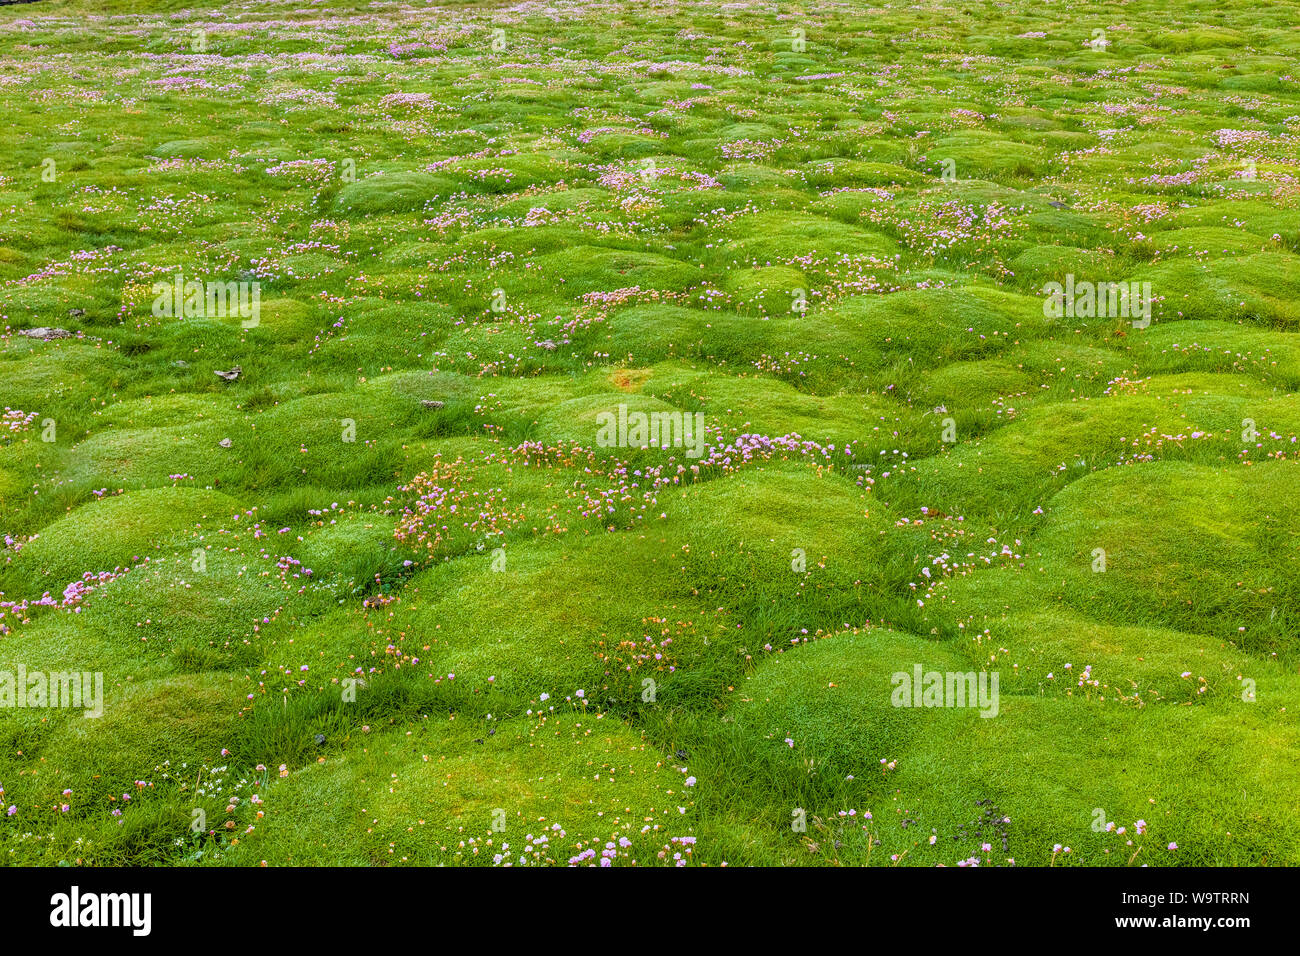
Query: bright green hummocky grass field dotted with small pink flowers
{"type": "Point", "coordinates": [385, 599]}
